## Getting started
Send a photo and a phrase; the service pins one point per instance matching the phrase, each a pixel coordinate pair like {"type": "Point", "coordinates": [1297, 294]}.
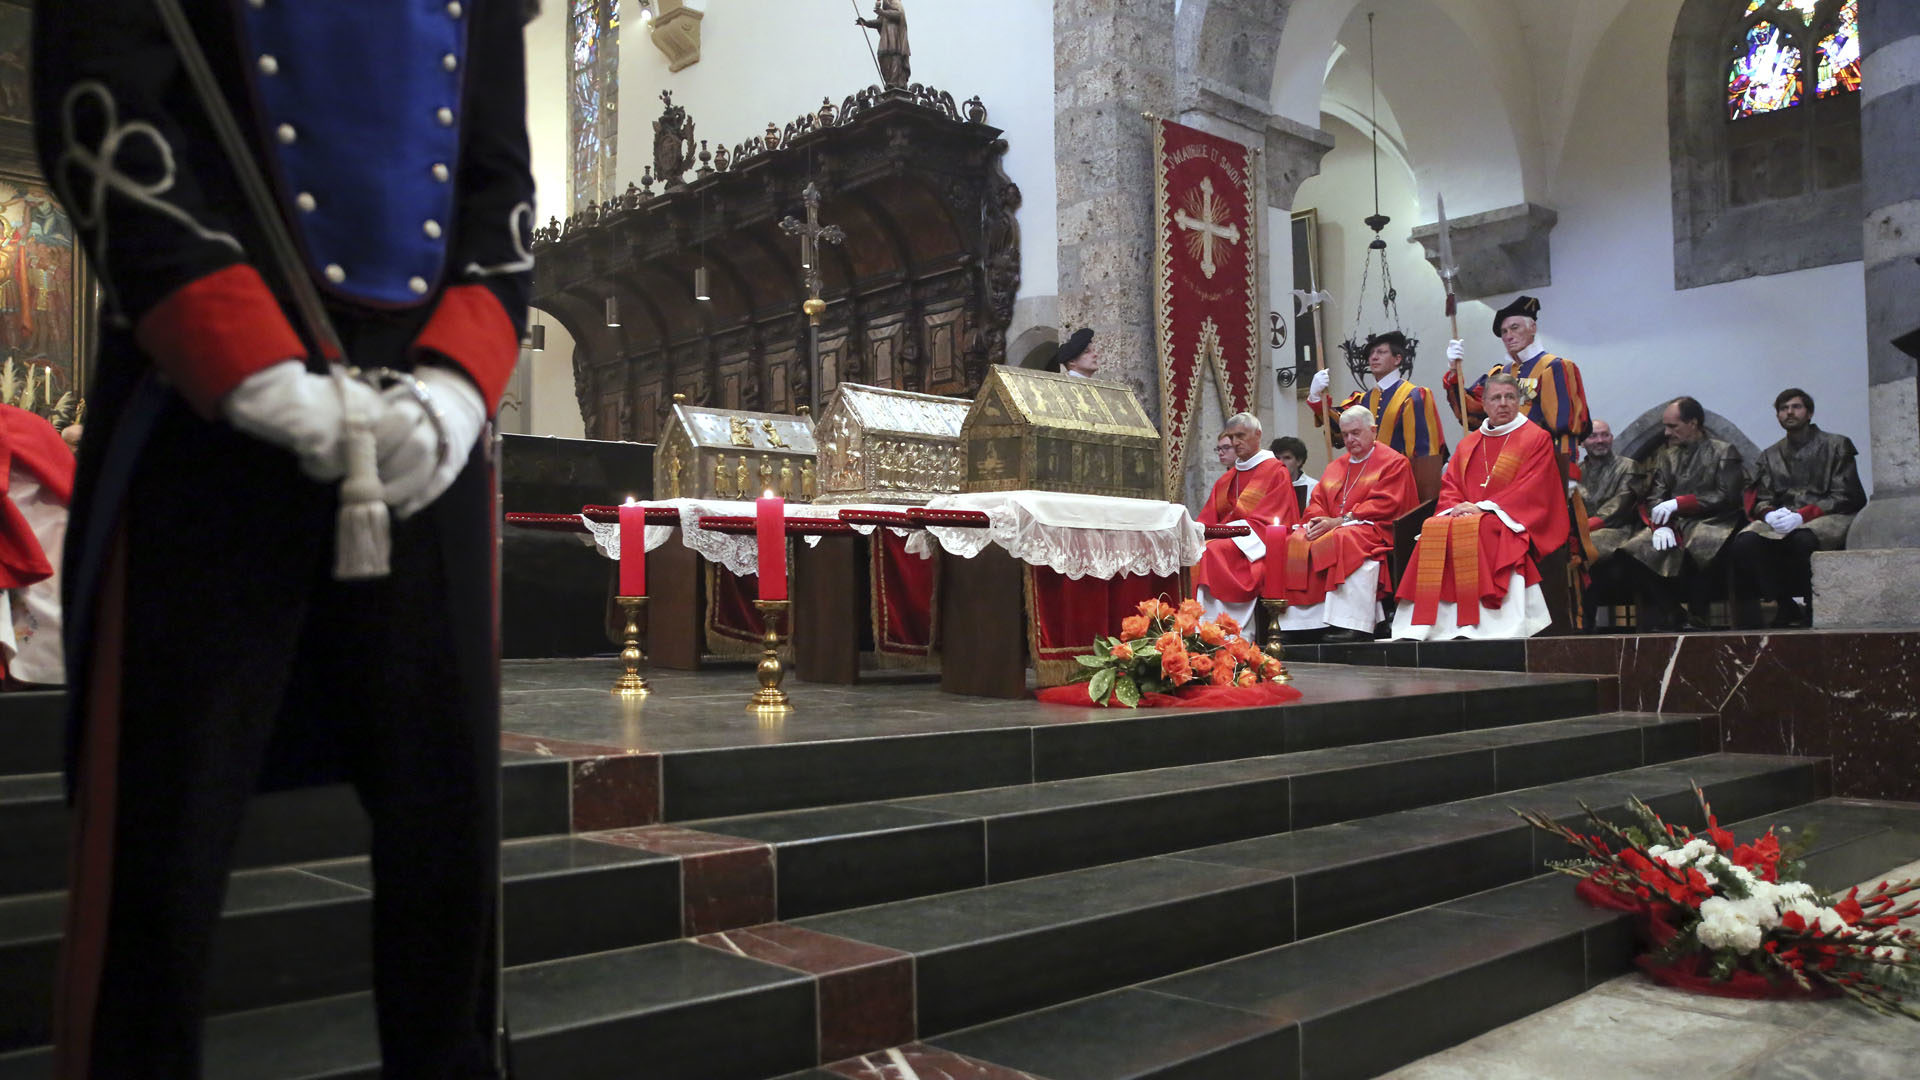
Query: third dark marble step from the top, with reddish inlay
{"type": "Point", "coordinates": [951, 962]}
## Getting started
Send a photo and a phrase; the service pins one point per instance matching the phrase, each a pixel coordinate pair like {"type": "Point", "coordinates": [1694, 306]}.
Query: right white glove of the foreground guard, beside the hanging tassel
{"type": "Point", "coordinates": [412, 472]}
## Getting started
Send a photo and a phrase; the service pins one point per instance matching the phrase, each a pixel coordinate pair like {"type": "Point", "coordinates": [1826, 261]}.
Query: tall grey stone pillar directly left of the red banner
{"type": "Point", "coordinates": [1113, 64]}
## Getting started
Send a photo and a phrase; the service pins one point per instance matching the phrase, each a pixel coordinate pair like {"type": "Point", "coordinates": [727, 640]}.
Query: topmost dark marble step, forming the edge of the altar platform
{"type": "Point", "coordinates": [560, 787]}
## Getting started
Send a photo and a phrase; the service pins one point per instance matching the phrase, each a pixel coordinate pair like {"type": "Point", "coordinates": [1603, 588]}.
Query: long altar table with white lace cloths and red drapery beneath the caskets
{"type": "Point", "coordinates": [980, 587]}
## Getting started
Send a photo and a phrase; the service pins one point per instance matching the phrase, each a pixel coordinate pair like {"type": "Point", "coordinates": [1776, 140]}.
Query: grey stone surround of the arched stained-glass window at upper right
{"type": "Point", "coordinates": [1714, 239]}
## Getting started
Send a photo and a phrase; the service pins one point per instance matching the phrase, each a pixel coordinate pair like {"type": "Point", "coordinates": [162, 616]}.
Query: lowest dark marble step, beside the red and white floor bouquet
{"type": "Point", "coordinates": [1372, 998]}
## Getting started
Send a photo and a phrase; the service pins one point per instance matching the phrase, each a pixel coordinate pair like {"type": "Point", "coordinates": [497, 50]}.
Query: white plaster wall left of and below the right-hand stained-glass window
{"type": "Point", "coordinates": [1614, 308]}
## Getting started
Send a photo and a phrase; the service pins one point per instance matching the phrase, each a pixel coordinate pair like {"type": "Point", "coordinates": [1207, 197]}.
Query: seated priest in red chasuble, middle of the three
{"type": "Point", "coordinates": [1335, 558]}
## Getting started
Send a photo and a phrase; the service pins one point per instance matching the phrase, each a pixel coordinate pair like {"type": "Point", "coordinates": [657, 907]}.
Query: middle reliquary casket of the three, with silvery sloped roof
{"type": "Point", "coordinates": [886, 447]}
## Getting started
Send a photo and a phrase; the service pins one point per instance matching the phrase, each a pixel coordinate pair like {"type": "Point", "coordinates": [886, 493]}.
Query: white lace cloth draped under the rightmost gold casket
{"type": "Point", "coordinates": [1078, 537]}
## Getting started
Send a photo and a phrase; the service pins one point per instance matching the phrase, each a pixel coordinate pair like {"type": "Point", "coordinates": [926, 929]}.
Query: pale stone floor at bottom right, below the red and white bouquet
{"type": "Point", "coordinates": [1631, 1029]}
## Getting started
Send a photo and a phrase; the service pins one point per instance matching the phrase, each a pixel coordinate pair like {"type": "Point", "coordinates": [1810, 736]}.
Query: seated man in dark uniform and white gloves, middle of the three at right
{"type": "Point", "coordinates": [1691, 510]}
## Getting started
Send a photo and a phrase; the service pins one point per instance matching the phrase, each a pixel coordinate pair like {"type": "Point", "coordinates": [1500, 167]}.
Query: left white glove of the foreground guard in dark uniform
{"type": "Point", "coordinates": [299, 410]}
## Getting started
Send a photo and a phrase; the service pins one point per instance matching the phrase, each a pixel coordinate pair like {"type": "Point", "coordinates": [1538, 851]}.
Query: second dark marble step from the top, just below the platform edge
{"type": "Point", "coordinates": [725, 875]}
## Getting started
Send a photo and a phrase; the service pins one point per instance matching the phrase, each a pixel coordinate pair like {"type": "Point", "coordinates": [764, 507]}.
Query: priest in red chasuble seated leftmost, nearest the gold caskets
{"type": "Point", "coordinates": [1259, 491]}
